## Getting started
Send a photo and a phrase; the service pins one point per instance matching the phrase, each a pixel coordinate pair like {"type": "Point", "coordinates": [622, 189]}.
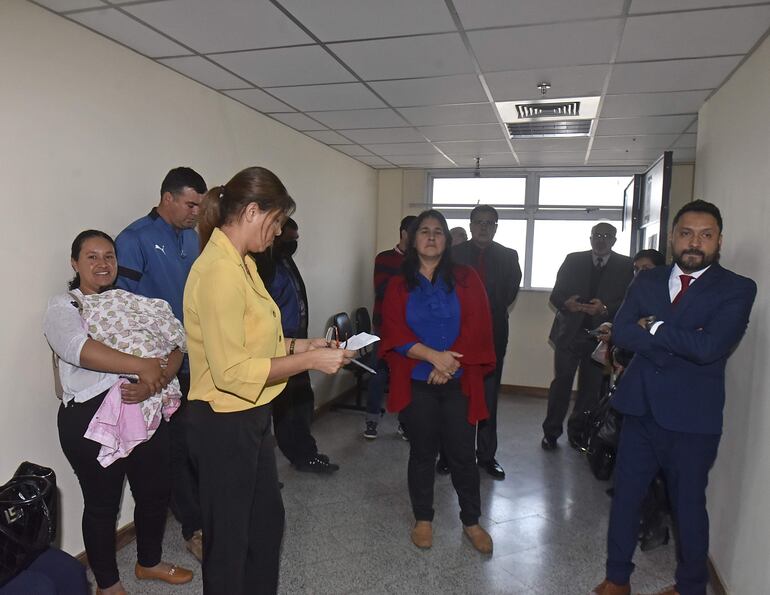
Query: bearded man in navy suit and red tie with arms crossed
{"type": "Point", "coordinates": [682, 322]}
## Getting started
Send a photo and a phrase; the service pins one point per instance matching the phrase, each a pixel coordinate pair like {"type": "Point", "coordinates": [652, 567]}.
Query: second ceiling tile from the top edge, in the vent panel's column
{"type": "Point", "coordinates": [565, 44]}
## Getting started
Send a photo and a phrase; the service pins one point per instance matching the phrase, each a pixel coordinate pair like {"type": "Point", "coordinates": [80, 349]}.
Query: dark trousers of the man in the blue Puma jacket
{"type": "Point", "coordinates": [184, 485]}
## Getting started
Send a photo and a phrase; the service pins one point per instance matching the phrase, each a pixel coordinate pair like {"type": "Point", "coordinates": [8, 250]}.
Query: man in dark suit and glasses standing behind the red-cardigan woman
{"type": "Point", "coordinates": [500, 272]}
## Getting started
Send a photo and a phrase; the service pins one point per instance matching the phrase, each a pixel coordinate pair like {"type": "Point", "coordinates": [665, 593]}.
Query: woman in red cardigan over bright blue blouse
{"type": "Point", "coordinates": [437, 340]}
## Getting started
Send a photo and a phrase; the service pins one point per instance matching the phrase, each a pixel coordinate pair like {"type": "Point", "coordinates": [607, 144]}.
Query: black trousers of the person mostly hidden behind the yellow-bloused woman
{"type": "Point", "coordinates": [292, 414]}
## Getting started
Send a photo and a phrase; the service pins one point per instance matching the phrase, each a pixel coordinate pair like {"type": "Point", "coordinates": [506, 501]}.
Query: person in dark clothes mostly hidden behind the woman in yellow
{"type": "Point", "coordinates": [293, 409]}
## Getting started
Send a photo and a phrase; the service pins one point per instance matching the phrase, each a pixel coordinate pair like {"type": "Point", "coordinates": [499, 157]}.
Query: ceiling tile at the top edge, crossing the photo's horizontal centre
{"type": "Point", "coordinates": [358, 19]}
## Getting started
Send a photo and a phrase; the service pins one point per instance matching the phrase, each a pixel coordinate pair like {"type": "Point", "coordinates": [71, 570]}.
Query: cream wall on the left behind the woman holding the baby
{"type": "Point", "coordinates": [89, 129]}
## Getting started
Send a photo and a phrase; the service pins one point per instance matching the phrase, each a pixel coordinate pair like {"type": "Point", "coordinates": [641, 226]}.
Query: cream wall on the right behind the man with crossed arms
{"type": "Point", "coordinates": [733, 171]}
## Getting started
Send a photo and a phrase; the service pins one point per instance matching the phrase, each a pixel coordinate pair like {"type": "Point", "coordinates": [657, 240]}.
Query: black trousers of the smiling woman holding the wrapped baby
{"type": "Point", "coordinates": [147, 469]}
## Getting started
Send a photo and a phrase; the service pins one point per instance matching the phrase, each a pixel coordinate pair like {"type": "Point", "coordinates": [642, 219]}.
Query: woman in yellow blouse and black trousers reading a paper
{"type": "Point", "coordinates": [239, 362]}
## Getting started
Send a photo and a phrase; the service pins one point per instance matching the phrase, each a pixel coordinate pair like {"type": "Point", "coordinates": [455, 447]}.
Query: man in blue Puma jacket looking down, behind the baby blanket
{"type": "Point", "coordinates": [155, 254]}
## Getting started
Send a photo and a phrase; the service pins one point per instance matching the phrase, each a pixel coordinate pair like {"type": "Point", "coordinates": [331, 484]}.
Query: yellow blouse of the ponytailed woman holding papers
{"type": "Point", "coordinates": [233, 330]}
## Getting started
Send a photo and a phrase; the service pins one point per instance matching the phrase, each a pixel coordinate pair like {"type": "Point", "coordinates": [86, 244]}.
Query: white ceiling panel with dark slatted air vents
{"type": "Point", "coordinates": [549, 118]}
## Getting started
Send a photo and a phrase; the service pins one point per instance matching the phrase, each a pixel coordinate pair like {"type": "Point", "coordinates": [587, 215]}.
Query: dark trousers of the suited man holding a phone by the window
{"type": "Point", "coordinates": [568, 359]}
